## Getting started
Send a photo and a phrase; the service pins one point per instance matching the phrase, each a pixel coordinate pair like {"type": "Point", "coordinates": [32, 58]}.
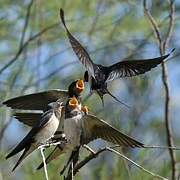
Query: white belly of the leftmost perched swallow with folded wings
{"type": "Point", "coordinates": [48, 131]}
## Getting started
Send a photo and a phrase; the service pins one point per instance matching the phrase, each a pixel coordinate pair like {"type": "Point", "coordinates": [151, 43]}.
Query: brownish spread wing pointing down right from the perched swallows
{"type": "Point", "coordinates": [95, 128]}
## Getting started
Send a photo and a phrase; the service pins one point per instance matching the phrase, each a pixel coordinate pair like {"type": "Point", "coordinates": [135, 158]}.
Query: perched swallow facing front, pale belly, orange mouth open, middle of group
{"type": "Point", "coordinates": [72, 130]}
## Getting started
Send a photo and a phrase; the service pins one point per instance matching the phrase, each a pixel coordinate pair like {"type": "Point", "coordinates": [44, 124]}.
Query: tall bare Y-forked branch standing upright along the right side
{"type": "Point", "coordinates": [162, 47]}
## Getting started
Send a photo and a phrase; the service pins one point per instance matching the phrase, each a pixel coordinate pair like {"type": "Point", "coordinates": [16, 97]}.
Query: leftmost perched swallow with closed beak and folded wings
{"type": "Point", "coordinates": [41, 132]}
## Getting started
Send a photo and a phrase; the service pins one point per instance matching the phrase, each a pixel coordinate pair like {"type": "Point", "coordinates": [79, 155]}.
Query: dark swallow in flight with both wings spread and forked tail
{"type": "Point", "coordinates": [99, 76]}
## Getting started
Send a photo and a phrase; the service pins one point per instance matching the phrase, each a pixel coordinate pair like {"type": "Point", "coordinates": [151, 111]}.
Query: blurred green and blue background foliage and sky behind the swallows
{"type": "Point", "coordinates": [111, 30]}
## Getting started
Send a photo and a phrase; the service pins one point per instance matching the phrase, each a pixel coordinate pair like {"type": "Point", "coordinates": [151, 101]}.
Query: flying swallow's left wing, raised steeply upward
{"type": "Point", "coordinates": [80, 51]}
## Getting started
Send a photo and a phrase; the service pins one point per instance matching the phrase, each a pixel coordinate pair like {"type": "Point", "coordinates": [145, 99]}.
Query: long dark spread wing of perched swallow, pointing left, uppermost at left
{"type": "Point", "coordinates": [36, 101]}
